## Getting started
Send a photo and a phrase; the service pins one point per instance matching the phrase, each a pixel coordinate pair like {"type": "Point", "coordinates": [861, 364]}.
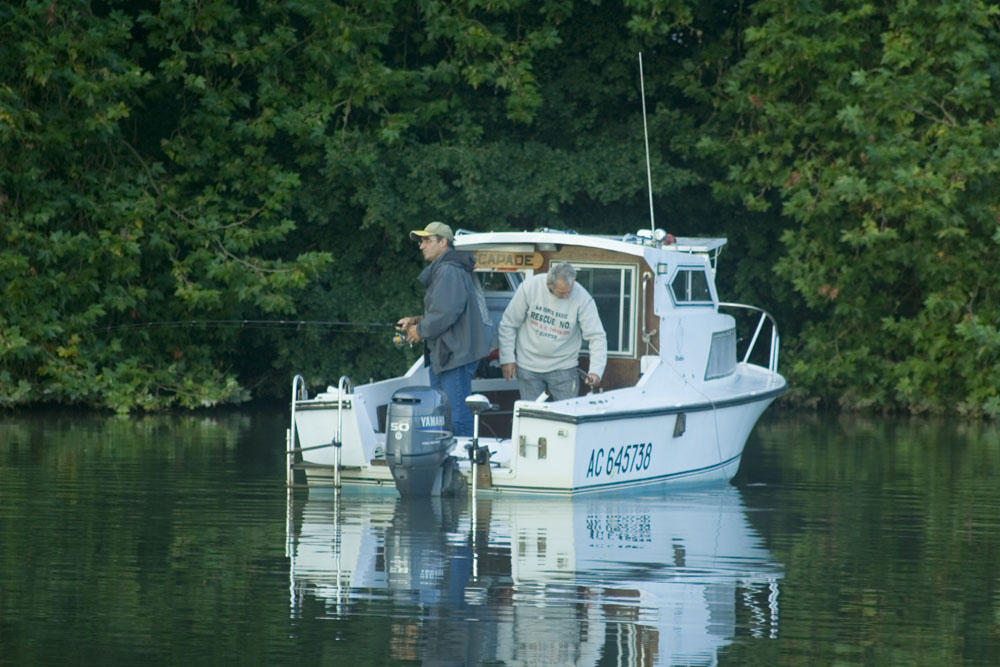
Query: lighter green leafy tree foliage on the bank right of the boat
{"type": "Point", "coordinates": [873, 127]}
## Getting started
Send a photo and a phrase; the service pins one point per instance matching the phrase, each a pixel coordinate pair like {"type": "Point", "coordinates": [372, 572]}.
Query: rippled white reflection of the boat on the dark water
{"type": "Point", "coordinates": [637, 580]}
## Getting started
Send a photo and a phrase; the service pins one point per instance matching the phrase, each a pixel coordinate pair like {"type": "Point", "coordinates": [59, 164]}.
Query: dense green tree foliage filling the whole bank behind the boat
{"type": "Point", "coordinates": [211, 161]}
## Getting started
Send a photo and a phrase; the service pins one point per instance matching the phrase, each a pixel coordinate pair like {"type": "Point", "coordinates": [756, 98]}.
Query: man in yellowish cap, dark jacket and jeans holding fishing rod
{"type": "Point", "coordinates": [455, 326]}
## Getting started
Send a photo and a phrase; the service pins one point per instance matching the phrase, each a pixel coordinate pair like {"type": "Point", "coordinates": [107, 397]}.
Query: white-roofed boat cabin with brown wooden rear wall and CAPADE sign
{"type": "Point", "coordinates": [635, 282]}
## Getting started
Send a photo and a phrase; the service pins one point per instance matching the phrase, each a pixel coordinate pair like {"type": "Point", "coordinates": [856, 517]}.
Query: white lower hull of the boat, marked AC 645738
{"type": "Point", "coordinates": [559, 453]}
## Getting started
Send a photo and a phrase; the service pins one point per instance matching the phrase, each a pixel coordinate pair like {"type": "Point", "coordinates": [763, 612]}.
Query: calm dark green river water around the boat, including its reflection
{"type": "Point", "coordinates": [172, 540]}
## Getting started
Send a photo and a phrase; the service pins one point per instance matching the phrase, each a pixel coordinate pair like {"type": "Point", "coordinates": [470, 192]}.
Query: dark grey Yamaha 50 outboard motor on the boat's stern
{"type": "Point", "coordinates": [418, 437]}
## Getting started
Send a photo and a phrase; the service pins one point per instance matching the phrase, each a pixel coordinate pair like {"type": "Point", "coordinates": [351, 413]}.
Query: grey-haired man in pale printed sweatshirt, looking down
{"type": "Point", "coordinates": [541, 333]}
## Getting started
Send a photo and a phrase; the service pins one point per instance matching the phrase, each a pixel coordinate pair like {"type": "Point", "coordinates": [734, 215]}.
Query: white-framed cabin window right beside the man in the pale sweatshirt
{"type": "Point", "coordinates": [612, 288]}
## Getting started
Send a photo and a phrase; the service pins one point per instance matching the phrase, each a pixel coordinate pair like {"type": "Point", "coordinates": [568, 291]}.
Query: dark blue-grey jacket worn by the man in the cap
{"type": "Point", "coordinates": [455, 327]}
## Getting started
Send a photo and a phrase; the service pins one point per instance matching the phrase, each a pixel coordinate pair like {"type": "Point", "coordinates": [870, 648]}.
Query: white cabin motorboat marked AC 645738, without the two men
{"type": "Point", "coordinates": [680, 395]}
